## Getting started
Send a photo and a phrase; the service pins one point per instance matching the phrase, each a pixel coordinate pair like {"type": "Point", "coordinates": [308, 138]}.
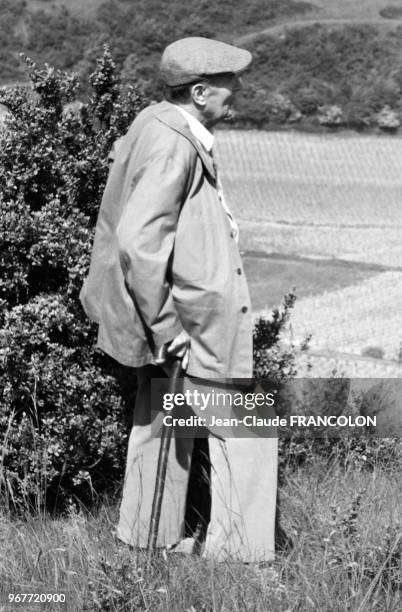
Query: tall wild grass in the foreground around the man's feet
{"type": "Point", "coordinates": [346, 556]}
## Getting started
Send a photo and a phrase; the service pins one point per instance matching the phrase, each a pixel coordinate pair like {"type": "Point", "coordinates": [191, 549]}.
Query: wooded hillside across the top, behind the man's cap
{"type": "Point", "coordinates": [319, 64]}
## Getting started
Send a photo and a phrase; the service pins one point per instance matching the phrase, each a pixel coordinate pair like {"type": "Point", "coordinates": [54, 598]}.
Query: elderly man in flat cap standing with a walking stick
{"type": "Point", "coordinates": [166, 272]}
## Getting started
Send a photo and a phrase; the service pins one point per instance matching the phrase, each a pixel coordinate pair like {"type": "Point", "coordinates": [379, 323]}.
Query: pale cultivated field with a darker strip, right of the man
{"type": "Point", "coordinates": [322, 214]}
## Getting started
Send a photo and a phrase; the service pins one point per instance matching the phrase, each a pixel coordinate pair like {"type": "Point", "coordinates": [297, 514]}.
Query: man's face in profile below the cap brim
{"type": "Point", "coordinates": [219, 96]}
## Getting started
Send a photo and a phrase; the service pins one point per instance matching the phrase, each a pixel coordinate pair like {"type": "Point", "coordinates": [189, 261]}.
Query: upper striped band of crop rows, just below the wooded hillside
{"type": "Point", "coordinates": [319, 180]}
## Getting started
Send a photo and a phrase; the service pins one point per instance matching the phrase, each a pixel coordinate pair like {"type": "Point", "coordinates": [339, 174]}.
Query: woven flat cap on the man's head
{"type": "Point", "coordinates": [187, 59]}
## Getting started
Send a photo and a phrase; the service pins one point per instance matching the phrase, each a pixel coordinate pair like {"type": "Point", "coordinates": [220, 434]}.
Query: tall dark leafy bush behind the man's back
{"type": "Point", "coordinates": [60, 421]}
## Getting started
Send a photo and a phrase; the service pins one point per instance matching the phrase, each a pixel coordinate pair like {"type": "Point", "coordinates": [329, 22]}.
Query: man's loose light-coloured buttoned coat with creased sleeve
{"type": "Point", "coordinates": [165, 257]}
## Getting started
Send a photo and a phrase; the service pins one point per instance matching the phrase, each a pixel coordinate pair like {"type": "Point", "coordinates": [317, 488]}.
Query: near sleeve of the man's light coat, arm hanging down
{"type": "Point", "coordinates": [146, 234]}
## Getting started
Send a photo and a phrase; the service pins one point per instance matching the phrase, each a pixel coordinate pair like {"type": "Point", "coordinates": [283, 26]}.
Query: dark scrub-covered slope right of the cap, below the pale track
{"type": "Point", "coordinates": [354, 68]}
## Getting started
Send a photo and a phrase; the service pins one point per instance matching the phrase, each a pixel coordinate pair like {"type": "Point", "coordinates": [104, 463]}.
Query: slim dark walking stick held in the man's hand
{"type": "Point", "coordinates": [161, 469]}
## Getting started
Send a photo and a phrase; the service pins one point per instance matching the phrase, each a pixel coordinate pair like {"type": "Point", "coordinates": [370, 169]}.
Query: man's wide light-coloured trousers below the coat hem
{"type": "Point", "coordinates": [219, 493]}
